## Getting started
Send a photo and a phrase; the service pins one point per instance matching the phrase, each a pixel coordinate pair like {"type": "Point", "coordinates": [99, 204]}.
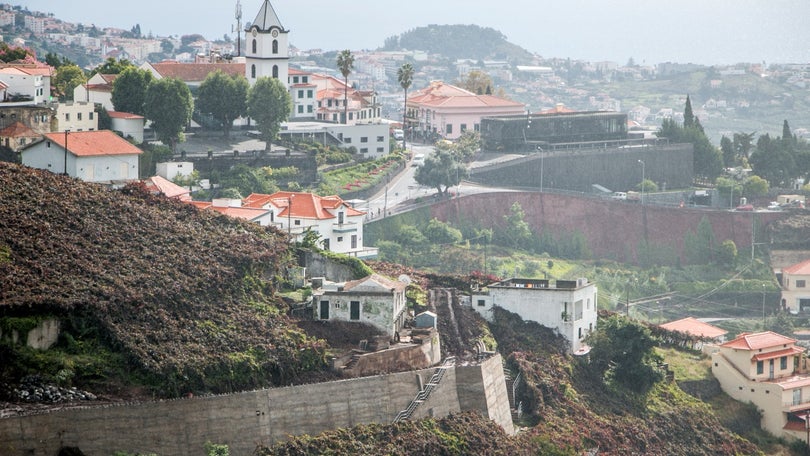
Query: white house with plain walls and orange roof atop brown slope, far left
{"type": "Point", "coordinates": [93, 156]}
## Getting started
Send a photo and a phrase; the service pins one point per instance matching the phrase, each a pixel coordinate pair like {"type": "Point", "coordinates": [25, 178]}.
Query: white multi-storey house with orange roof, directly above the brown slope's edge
{"type": "Point", "coordinates": [339, 225]}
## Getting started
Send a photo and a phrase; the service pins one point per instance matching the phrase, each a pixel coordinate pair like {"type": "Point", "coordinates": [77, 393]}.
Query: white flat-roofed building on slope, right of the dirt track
{"type": "Point", "coordinates": [568, 306]}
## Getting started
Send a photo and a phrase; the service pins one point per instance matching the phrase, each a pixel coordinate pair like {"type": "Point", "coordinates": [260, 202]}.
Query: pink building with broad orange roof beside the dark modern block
{"type": "Point", "coordinates": [446, 111]}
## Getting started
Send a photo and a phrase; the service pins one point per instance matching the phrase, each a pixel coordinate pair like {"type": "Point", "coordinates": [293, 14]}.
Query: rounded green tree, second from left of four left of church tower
{"type": "Point", "coordinates": [168, 104]}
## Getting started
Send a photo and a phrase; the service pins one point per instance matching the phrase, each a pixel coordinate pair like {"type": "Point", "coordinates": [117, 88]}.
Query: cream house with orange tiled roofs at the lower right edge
{"type": "Point", "coordinates": [770, 371]}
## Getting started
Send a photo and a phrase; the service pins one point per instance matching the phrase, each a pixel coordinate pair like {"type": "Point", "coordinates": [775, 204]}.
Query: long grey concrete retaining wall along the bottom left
{"type": "Point", "coordinates": [243, 420]}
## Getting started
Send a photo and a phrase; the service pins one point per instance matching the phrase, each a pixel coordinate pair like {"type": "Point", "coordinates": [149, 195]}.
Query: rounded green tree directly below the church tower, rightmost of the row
{"type": "Point", "coordinates": [269, 104]}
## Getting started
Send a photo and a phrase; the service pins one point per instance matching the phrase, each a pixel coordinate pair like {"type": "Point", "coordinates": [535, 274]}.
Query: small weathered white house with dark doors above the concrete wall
{"type": "Point", "coordinates": [374, 299]}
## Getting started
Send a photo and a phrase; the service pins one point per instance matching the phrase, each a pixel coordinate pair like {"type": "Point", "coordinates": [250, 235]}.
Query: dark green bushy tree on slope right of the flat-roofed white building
{"type": "Point", "coordinates": [623, 351]}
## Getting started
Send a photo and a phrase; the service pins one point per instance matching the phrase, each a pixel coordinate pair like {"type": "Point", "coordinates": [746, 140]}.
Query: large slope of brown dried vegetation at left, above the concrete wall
{"type": "Point", "coordinates": [188, 297]}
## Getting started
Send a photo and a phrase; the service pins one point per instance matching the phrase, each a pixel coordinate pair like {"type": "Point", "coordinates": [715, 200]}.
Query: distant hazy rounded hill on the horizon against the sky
{"type": "Point", "coordinates": [459, 42]}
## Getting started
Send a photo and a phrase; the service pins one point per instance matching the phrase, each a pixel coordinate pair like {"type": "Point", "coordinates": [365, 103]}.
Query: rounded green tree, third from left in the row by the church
{"type": "Point", "coordinates": [224, 97]}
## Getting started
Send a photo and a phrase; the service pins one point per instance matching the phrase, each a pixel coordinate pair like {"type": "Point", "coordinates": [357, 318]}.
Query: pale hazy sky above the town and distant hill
{"type": "Point", "coordinates": [649, 31]}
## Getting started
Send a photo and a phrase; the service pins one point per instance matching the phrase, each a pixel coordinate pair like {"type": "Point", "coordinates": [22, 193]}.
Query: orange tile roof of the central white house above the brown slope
{"type": "Point", "coordinates": [304, 205]}
